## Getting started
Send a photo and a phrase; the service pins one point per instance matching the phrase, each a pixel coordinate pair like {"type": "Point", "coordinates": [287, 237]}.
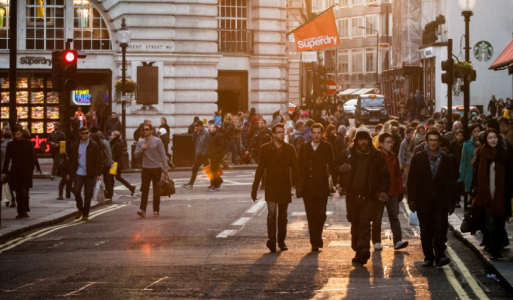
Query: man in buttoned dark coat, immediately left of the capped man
{"type": "Point", "coordinates": [315, 158]}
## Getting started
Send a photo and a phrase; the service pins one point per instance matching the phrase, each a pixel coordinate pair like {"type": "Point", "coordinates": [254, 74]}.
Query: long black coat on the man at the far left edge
{"type": "Point", "coordinates": [21, 157]}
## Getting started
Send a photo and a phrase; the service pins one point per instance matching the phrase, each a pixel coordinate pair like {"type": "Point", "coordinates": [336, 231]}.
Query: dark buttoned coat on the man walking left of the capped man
{"type": "Point", "coordinates": [316, 167]}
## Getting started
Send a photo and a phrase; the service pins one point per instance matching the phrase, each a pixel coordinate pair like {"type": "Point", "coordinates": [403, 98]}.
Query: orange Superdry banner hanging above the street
{"type": "Point", "coordinates": [319, 33]}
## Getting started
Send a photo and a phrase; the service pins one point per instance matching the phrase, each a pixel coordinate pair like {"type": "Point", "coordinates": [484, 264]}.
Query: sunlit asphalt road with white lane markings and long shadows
{"type": "Point", "coordinates": [212, 245]}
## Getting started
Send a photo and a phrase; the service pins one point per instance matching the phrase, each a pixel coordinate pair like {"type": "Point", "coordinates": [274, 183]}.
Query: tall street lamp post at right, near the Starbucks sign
{"type": "Point", "coordinates": [466, 11]}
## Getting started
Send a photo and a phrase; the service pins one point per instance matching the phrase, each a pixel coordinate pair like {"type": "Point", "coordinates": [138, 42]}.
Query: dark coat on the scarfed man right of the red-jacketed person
{"type": "Point", "coordinates": [427, 193]}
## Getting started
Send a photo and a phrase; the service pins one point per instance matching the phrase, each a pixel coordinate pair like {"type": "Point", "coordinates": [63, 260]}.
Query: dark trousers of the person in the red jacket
{"type": "Point", "coordinates": [392, 206]}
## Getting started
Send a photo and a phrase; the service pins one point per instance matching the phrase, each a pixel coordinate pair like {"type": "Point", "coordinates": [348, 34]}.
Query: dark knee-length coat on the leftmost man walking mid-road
{"type": "Point", "coordinates": [279, 168]}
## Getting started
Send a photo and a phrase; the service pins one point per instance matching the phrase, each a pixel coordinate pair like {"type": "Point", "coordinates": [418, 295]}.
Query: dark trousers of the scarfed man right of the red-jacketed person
{"type": "Point", "coordinates": [433, 232]}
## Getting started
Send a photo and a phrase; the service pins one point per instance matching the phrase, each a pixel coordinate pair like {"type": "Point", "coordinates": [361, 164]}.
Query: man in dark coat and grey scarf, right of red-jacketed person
{"type": "Point", "coordinates": [432, 193]}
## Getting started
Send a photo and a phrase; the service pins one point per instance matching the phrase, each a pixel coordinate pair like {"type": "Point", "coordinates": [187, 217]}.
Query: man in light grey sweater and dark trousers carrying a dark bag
{"type": "Point", "coordinates": [151, 149]}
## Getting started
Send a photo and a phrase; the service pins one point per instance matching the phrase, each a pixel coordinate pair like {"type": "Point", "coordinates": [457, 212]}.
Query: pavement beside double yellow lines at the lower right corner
{"type": "Point", "coordinates": [502, 269]}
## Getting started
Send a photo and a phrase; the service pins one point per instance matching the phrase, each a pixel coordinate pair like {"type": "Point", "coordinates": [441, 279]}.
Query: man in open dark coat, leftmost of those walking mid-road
{"type": "Point", "coordinates": [278, 159]}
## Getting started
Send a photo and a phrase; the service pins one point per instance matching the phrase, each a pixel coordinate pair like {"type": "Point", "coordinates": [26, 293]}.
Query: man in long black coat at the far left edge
{"type": "Point", "coordinates": [20, 156]}
